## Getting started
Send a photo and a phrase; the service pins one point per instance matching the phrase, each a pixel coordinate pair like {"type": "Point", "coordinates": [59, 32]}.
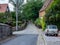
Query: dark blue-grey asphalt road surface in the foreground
{"type": "Point", "coordinates": [27, 39]}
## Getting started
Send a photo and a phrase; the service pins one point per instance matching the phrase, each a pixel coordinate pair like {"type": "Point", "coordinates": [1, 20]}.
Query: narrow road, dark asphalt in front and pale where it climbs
{"type": "Point", "coordinates": [29, 36]}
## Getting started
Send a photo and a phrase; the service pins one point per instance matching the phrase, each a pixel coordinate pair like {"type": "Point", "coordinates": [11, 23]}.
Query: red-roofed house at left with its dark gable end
{"type": "Point", "coordinates": [5, 9]}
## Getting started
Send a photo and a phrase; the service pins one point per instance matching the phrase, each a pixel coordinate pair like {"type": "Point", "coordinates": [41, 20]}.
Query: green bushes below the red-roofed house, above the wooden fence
{"type": "Point", "coordinates": [5, 17]}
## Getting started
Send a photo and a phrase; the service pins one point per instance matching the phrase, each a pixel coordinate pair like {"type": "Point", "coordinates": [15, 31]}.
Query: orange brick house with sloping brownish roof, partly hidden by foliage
{"type": "Point", "coordinates": [42, 11]}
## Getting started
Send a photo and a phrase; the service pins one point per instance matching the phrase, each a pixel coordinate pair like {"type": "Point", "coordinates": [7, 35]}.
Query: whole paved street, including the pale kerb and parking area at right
{"type": "Point", "coordinates": [32, 36]}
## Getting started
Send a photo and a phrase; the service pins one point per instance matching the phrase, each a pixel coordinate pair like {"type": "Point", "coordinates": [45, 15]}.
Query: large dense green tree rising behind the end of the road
{"type": "Point", "coordinates": [31, 9]}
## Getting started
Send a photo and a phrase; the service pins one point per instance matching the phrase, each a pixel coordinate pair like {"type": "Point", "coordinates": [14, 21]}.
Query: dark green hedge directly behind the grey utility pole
{"type": "Point", "coordinates": [20, 19]}
